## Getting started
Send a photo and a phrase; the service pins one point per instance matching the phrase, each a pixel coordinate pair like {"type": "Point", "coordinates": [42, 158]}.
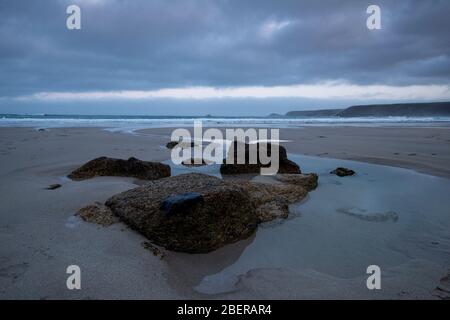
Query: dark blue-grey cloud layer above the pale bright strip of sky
{"type": "Point", "coordinates": [144, 45]}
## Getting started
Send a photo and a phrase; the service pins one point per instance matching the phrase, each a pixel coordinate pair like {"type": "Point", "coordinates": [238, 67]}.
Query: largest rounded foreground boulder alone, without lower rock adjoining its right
{"type": "Point", "coordinates": [224, 216]}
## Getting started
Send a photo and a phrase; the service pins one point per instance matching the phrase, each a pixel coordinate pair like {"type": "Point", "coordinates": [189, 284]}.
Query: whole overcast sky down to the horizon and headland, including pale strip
{"type": "Point", "coordinates": [219, 57]}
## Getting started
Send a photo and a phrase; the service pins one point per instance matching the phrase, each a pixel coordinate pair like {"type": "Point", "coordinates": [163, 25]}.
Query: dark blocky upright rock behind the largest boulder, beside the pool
{"type": "Point", "coordinates": [285, 165]}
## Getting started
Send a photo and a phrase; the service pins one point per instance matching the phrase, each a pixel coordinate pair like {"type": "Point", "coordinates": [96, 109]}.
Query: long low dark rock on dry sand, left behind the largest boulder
{"type": "Point", "coordinates": [132, 167]}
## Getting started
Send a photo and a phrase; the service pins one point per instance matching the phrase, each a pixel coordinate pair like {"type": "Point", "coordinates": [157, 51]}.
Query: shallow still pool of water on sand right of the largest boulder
{"type": "Point", "coordinates": [382, 215]}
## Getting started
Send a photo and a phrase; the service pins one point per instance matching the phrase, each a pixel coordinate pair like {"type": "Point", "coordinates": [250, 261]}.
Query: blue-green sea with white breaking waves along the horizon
{"type": "Point", "coordinates": [131, 123]}
